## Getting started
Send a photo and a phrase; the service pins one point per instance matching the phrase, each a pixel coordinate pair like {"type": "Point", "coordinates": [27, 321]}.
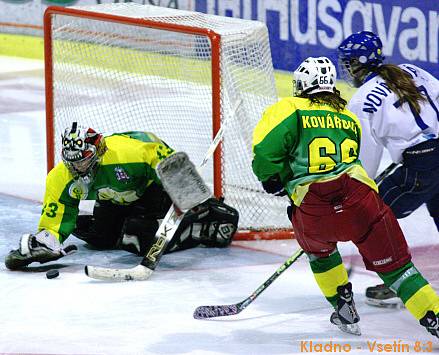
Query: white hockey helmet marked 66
{"type": "Point", "coordinates": [314, 75]}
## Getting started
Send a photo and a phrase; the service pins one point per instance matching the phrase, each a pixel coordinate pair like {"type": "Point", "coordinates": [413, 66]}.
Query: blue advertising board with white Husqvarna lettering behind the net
{"type": "Point", "coordinates": [302, 28]}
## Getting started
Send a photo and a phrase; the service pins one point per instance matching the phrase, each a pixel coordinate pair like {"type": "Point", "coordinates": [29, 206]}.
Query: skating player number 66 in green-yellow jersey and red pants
{"type": "Point", "coordinates": [308, 146]}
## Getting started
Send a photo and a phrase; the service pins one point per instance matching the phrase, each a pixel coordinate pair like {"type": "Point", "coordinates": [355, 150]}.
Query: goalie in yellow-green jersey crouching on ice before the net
{"type": "Point", "coordinates": [118, 172]}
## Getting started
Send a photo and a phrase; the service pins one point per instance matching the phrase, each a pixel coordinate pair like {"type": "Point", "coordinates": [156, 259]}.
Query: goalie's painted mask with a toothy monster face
{"type": "Point", "coordinates": [81, 151]}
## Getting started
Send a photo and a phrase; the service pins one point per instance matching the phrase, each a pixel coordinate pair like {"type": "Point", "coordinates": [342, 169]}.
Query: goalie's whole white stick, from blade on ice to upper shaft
{"type": "Point", "coordinates": [163, 236]}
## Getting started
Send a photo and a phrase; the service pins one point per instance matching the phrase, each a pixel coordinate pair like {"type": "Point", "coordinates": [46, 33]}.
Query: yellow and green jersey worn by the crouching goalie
{"type": "Point", "coordinates": [125, 171]}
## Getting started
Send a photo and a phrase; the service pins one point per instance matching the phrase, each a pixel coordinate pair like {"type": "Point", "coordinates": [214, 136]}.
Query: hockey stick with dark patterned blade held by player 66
{"type": "Point", "coordinates": [204, 312]}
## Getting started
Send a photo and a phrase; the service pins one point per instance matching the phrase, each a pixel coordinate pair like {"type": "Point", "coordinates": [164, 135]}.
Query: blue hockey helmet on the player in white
{"type": "Point", "coordinates": [358, 54]}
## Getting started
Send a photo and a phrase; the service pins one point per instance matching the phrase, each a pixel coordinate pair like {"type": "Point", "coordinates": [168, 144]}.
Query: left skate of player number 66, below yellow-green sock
{"type": "Point", "coordinates": [345, 316]}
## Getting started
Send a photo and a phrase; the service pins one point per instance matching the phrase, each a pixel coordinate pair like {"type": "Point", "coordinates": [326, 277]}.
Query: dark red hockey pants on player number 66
{"type": "Point", "coordinates": [348, 210]}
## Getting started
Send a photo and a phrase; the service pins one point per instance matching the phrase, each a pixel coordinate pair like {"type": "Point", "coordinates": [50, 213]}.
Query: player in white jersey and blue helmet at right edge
{"type": "Point", "coordinates": [399, 110]}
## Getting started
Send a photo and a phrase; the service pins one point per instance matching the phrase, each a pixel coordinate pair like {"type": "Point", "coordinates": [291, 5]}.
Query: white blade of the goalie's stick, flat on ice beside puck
{"type": "Point", "coordinates": [138, 273]}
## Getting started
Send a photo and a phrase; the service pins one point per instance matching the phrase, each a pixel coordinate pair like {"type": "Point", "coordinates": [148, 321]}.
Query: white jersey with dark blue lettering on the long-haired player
{"type": "Point", "coordinates": [388, 123]}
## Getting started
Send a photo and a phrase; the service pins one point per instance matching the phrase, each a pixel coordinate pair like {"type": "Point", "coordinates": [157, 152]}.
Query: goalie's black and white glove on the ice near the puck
{"type": "Point", "coordinates": [41, 247]}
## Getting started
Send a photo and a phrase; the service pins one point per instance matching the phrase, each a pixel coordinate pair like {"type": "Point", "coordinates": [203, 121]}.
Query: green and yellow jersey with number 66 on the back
{"type": "Point", "coordinates": [304, 143]}
